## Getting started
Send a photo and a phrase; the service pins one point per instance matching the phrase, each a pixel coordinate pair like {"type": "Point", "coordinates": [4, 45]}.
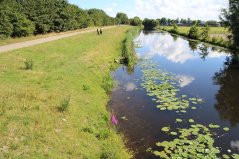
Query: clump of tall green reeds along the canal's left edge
{"type": "Point", "coordinates": [128, 46]}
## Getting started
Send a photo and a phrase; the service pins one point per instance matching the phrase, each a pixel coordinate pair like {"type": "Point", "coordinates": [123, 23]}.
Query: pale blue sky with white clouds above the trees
{"type": "Point", "coordinates": [194, 9]}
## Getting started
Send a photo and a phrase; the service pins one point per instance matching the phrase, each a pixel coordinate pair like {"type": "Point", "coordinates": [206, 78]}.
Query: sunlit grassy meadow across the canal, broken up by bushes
{"type": "Point", "coordinates": [217, 35]}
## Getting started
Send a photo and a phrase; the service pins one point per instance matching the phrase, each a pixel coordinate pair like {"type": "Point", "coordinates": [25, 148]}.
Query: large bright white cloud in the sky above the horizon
{"type": "Point", "coordinates": [194, 9]}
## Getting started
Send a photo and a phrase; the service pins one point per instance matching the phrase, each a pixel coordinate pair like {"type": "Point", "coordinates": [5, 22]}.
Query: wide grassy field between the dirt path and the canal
{"type": "Point", "coordinates": [58, 109]}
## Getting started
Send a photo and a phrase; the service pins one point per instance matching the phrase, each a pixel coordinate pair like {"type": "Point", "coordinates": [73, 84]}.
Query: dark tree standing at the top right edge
{"type": "Point", "coordinates": [230, 18]}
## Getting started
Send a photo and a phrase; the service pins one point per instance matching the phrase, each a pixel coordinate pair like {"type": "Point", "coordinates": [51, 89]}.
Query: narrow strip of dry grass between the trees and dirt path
{"type": "Point", "coordinates": [32, 37]}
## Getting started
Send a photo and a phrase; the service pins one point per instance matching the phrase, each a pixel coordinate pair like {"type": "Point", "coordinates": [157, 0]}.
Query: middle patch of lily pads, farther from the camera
{"type": "Point", "coordinates": [163, 86]}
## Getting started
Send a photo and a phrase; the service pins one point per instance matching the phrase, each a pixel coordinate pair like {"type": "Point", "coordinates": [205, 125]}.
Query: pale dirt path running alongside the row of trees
{"type": "Point", "coordinates": [19, 45]}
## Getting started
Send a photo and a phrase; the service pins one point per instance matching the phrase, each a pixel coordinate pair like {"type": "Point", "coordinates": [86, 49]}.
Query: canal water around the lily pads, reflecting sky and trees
{"type": "Point", "coordinates": [205, 72]}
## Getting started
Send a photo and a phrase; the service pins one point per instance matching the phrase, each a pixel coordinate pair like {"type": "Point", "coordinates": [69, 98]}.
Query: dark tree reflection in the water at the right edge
{"type": "Point", "coordinates": [228, 97]}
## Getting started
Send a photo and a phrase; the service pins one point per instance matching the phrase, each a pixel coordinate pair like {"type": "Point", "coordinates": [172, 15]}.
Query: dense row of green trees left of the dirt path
{"type": "Point", "coordinates": [24, 17]}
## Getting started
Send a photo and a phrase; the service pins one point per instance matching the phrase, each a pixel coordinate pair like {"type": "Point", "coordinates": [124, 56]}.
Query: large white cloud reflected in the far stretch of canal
{"type": "Point", "coordinates": [164, 45]}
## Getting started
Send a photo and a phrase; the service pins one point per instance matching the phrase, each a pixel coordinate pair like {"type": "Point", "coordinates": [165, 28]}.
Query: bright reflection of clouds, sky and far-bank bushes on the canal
{"type": "Point", "coordinates": [175, 49]}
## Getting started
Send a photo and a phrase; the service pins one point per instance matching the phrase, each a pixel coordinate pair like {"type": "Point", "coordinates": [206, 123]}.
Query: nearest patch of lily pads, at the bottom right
{"type": "Point", "coordinates": [194, 142]}
